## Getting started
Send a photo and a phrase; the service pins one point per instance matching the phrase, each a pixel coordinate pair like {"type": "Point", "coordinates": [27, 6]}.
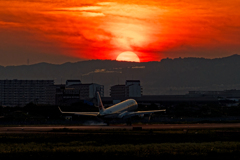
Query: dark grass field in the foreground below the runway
{"type": "Point", "coordinates": [119, 144]}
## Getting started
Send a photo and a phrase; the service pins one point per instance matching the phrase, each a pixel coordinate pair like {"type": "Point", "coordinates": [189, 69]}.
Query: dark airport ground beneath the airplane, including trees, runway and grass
{"type": "Point", "coordinates": [37, 133]}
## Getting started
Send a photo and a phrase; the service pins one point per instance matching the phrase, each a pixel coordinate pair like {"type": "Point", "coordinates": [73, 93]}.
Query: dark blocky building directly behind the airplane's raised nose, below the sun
{"type": "Point", "coordinates": [132, 88]}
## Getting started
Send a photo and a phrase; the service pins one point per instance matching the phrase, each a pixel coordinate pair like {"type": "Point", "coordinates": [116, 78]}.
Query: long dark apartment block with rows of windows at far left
{"type": "Point", "coordinates": [21, 92]}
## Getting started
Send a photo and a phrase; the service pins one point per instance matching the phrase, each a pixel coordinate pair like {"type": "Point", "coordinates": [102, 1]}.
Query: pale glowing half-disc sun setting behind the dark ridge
{"type": "Point", "coordinates": [128, 56]}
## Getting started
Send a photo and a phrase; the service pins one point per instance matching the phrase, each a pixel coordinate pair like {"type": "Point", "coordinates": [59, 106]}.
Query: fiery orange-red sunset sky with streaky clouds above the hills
{"type": "Point", "coordinates": [58, 31]}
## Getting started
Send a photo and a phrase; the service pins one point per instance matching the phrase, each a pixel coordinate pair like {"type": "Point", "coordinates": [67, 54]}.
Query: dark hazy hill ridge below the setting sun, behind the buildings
{"type": "Point", "coordinates": [169, 76]}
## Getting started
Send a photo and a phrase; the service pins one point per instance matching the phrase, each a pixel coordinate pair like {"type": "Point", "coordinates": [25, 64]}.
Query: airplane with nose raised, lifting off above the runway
{"type": "Point", "coordinates": [122, 110]}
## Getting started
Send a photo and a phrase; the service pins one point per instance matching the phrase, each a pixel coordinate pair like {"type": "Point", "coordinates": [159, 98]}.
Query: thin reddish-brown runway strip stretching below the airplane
{"type": "Point", "coordinates": [46, 129]}
